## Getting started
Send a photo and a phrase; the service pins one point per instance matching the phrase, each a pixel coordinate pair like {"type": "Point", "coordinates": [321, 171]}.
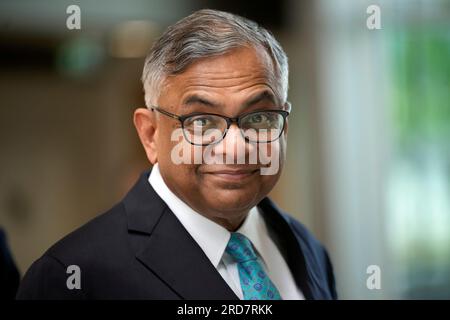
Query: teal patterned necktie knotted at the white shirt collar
{"type": "Point", "coordinates": [255, 283]}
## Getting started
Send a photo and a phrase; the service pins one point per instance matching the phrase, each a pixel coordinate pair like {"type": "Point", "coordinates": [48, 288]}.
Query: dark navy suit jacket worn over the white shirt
{"type": "Point", "coordinates": [139, 250]}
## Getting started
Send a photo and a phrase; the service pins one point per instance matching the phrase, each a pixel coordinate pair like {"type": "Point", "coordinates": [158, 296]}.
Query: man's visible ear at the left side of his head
{"type": "Point", "coordinates": [145, 123]}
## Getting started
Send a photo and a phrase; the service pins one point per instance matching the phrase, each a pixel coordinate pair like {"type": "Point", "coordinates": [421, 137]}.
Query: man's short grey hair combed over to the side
{"type": "Point", "coordinates": [203, 34]}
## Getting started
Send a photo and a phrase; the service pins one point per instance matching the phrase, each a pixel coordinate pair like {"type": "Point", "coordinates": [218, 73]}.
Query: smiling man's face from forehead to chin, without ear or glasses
{"type": "Point", "coordinates": [231, 85]}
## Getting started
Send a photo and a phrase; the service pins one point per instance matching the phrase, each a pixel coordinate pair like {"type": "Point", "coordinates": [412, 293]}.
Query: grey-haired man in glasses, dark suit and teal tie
{"type": "Point", "coordinates": [199, 225]}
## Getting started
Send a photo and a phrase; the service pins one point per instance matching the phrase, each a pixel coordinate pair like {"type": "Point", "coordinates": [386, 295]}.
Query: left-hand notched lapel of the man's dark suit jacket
{"type": "Point", "coordinates": [168, 250]}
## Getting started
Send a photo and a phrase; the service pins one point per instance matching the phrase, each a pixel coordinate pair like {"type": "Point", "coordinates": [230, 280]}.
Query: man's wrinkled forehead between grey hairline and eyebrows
{"type": "Point", "coordinates": [239, 72]}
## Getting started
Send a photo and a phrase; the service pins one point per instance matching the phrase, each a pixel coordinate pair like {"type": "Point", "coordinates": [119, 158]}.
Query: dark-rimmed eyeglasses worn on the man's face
{"type": "Point", "coordinates": [202, 129]}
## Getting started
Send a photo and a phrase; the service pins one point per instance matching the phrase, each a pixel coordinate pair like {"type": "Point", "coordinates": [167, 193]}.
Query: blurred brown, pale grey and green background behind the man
{"type": "Point", "coordinates": [368, 167]}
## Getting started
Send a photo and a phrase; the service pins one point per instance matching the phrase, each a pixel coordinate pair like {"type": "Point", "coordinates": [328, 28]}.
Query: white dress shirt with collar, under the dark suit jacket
{"type": "Point", "coordinates": [213, 239]}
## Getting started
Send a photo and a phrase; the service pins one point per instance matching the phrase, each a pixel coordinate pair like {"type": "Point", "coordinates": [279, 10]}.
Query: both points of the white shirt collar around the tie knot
{"type": "Point", "coordinates": [210, 236]}
